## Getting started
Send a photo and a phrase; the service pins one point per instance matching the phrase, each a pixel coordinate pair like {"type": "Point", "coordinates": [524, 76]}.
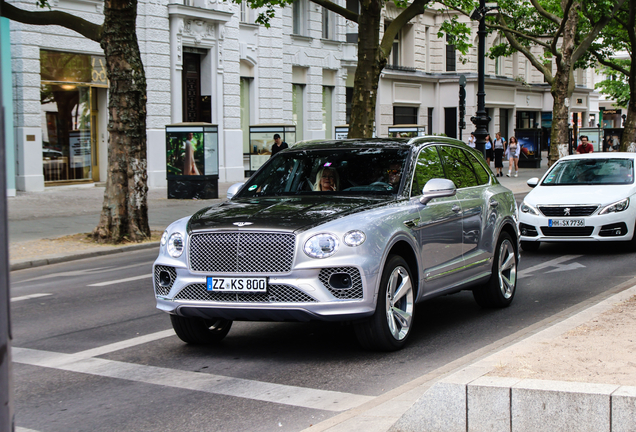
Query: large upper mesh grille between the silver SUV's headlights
{"type": "Point", "coordinates": [242, 252]}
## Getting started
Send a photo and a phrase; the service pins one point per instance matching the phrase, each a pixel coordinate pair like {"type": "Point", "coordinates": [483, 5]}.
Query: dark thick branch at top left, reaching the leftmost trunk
{"type": "Point", "coordinates": [63, 19]}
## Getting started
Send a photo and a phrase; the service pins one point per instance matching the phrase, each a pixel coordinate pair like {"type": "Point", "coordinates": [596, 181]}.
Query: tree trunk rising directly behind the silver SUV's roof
{"type": "Point", "coordinates": [371, 61]}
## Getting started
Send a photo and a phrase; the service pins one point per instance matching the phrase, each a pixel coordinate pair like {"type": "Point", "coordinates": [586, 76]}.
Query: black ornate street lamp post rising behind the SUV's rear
{"type": "Point", "coordinates": [481, 120]}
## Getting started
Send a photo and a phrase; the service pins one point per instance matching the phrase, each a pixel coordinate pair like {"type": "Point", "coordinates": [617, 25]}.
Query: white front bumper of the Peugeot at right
{"type": "Point", "coordinates": [608, 227]}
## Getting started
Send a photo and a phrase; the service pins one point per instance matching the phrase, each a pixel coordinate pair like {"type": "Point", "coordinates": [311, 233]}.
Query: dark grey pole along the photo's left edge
{"type": "Point", "coordinates": [6, 398]}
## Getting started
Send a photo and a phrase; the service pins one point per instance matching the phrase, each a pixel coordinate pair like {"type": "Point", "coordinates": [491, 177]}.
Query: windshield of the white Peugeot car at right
{"type": "Point", "coordinates": [591, 172]}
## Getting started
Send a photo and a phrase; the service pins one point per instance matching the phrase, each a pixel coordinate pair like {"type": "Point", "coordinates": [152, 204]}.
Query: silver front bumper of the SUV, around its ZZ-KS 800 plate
{"type": "Point", "coordinates": [305, 294]}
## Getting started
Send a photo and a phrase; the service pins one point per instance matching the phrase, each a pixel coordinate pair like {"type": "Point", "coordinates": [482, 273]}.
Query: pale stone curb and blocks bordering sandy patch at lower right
{"type": "Point", "coordinates": [471, 399]}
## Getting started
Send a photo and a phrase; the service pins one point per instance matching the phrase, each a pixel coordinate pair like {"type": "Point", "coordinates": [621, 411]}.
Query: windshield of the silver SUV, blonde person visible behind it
{"type": "Point", "coordinates": [374, 171]}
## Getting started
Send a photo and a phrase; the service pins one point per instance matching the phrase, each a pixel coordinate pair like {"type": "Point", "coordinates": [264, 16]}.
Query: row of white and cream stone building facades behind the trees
{"type": "Point", "coordinates": [207, 61]}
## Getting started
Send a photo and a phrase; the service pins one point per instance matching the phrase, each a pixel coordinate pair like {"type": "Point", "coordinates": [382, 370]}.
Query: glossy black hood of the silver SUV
{"type": "Point", "coordinates": [279, 213]}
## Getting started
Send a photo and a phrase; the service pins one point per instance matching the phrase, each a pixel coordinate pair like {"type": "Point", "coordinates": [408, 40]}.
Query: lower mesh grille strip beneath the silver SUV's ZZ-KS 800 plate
{"type": "Point", "coordinates": [275, 294]}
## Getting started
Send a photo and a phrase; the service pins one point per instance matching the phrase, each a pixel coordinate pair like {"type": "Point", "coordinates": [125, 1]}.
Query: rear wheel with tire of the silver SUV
{"type": "Point", "coordinates": [500, 289]}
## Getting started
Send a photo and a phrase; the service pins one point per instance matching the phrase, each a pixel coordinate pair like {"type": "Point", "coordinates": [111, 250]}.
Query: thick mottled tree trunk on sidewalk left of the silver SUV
{"type": "Point", "coordinates": [125, 208]}
